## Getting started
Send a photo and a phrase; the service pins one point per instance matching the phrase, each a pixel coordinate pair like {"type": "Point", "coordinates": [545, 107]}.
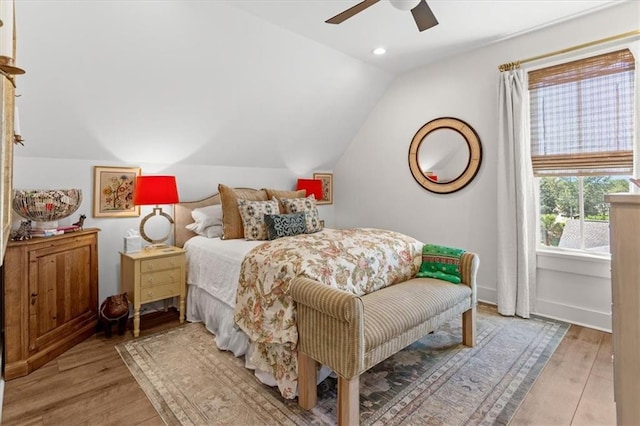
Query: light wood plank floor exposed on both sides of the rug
{"type": "Point", "coordinates": [89, 384]}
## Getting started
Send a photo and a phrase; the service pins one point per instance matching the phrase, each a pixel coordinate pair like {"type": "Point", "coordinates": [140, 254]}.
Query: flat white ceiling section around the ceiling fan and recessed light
{"type": "Point", "coordinates": [463, 25]}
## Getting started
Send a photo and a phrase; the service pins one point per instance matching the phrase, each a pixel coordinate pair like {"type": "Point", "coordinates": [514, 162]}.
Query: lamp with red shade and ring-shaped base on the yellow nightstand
{"type": "Point", "coordinates": [155, 190]}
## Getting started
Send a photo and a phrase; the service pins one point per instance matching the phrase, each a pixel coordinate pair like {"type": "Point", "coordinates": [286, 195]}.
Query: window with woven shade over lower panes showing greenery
{"type": "Point", "coordinates": [582, 132]}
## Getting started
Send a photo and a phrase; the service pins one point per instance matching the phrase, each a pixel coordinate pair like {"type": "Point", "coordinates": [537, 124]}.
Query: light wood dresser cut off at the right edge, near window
{"type": "Point", "coordinates": [625, 293]}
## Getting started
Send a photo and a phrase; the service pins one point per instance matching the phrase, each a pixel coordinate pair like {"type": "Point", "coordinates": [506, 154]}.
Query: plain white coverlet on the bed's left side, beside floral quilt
{"type": "Point", "coordinates": [213, 265]}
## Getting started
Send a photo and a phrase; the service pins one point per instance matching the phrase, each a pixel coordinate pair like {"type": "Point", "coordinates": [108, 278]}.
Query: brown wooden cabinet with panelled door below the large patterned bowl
{"type": "Point", "coordinates": [50, 298]}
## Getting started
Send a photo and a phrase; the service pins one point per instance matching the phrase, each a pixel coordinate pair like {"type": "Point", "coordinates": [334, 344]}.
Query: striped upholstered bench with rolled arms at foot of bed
{"type": "Point", "coordinates": [351, 334]}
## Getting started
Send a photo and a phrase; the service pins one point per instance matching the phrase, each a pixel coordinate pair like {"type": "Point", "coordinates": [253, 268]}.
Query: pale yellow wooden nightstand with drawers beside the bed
{"type": "Point", "coordinates": [151, 275]}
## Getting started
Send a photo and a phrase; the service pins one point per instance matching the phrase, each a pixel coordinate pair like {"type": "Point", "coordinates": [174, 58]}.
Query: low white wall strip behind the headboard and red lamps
{"type": "Point", "coordinates": [194, 183]}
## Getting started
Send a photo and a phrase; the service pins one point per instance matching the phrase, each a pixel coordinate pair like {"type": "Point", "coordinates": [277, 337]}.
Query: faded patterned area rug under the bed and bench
{"type": "Point", "coordinates": [436, 380]}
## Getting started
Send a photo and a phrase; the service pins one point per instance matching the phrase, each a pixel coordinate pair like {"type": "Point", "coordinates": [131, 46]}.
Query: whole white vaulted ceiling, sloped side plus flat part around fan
{"type": "Point", "coordinates": [233, 83]}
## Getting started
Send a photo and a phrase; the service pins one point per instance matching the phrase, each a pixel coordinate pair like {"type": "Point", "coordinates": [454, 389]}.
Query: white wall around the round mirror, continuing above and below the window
{"type": "Point", "coordinates": [374, 187]}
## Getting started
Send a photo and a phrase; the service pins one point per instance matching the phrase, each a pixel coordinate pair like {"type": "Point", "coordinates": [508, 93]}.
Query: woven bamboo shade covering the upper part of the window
{"type": "Point", "coordinates": [582, 116]}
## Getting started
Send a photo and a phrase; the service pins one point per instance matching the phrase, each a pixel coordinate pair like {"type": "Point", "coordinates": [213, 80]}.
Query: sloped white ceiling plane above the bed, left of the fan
{"type": "Point", "coordinates": [184, 82]}
